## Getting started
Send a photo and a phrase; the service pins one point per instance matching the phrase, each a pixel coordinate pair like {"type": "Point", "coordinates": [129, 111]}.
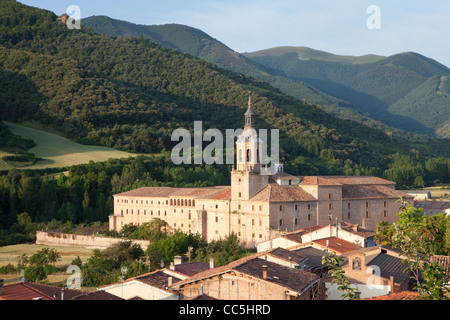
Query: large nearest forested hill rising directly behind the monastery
{"type": "Point", "coordinates": [131, 94]}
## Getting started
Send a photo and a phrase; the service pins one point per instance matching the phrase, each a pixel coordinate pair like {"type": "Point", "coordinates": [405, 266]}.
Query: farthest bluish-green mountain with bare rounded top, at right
{"type": "Point", "coordinates": [378, 86]}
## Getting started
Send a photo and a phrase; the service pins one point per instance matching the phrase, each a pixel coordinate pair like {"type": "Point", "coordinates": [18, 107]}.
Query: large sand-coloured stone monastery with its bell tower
{"type": "Point", "coordinates": [260, 206]}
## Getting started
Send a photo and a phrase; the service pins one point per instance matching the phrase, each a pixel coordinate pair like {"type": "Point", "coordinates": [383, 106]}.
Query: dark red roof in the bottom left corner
{"type": "Point", "coordinates": [31, 291]}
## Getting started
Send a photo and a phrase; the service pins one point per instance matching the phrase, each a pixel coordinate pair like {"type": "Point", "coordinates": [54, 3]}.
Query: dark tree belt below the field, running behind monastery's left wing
{"type": "Point", "coordinates": [84, 195]}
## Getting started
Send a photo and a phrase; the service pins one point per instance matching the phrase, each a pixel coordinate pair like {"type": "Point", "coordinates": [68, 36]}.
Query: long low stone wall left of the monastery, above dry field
{"type": "Point", "coordinates": [75, 240]}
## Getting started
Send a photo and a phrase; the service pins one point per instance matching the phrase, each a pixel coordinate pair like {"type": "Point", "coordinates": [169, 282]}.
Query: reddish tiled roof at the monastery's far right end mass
{"type": "Point", "coordinates": [371, 192]}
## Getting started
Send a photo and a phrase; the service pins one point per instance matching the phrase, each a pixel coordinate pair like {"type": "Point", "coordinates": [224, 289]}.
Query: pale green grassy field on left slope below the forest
{"type": "Point", "coordinates": [57, 151]}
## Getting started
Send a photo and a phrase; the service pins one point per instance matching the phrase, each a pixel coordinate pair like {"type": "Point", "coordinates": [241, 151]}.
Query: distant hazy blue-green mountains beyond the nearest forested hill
{"type": "Point", "coordinates": [355, 99]}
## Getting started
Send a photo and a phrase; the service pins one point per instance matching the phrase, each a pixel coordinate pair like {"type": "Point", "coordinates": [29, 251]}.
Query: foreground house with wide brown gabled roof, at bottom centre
{"type": "Point", "coordinates": [255, 277]}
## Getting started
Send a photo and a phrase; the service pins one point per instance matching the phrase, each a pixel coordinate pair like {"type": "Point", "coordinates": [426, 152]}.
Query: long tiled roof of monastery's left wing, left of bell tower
{"type": "Point", "coordinates": [221, 192]}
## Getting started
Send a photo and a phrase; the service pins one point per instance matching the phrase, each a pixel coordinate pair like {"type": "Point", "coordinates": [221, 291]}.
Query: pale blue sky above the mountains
{"type": "Point", "coordinates": [345, 27]}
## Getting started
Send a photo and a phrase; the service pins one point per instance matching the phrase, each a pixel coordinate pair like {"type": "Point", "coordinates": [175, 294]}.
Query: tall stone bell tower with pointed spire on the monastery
{"type": "Point", "coordinates": [246, 178]}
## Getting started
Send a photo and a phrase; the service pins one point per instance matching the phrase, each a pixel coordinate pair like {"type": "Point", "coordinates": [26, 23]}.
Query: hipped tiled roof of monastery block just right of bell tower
{"type": "Point", "coordinates": [273, 192]}
